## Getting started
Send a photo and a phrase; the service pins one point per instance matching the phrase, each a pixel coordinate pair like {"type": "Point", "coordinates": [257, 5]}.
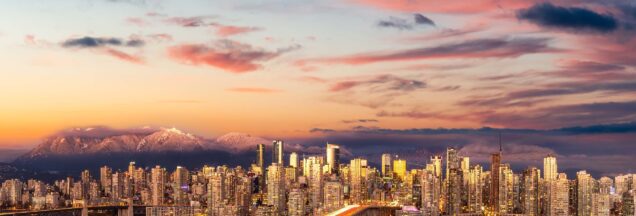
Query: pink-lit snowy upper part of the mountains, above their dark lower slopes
{"type": "Point", "coordinates": [86, 141]}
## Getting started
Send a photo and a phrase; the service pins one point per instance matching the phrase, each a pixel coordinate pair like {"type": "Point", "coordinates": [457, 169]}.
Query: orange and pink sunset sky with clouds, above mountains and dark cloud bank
{"type": "Point", "coordinates": [298, 68]}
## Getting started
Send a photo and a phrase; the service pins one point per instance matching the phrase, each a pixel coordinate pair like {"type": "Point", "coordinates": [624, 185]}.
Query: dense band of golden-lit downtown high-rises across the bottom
{"type": "Point", "coordinates": [322, 185]}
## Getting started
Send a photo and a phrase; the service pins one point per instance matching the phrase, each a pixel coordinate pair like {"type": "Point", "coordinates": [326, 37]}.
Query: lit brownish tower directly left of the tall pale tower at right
{"type": "Point", "coordinates": [530, 192]}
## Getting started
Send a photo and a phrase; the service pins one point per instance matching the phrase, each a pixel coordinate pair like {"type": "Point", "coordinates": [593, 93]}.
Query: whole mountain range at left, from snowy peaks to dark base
{"type": "Point", "coordinates": [76, 149]}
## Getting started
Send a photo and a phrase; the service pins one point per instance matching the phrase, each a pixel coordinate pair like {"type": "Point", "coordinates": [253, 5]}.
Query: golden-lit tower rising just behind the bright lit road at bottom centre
{"type": "Point", "coordinates": [358, 175]}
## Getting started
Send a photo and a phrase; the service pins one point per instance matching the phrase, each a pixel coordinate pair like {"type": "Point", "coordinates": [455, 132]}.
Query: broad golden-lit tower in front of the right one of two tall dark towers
{"type": "Point", "coordinates": [276, 187]}
